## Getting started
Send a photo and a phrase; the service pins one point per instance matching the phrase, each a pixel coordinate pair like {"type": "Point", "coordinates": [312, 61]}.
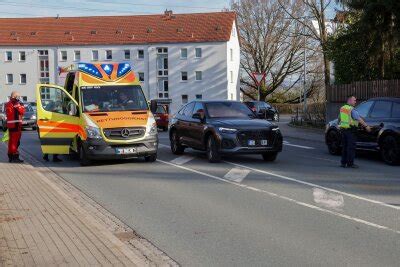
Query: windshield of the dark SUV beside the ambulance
{"type": "Point", "coordinates": [228, 110]}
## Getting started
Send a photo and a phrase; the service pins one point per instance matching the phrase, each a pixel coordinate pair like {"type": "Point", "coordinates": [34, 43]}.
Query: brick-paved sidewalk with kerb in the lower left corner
{"type": "Point", "coordinates": [45, 221]}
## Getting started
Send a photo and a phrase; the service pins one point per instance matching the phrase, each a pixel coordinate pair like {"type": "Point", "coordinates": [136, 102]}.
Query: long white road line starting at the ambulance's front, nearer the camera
{"type": "Point", "coordinates": [335, 213]}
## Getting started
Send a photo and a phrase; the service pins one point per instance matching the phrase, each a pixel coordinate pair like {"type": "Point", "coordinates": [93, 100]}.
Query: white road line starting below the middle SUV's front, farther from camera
{"type": "Point", "coordinates": [315, 185]}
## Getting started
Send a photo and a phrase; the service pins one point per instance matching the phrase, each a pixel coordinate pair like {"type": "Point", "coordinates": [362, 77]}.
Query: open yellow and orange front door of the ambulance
{"type": "Point", "coordinates": [57, 118]}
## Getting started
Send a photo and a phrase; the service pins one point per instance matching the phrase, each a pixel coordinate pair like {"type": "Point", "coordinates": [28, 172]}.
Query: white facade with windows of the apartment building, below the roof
{"type": "Point", "coordinates": [174, 73]}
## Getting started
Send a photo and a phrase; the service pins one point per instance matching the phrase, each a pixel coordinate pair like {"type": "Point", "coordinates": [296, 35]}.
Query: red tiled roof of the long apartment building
{"type": "Point", "coordinates": [100, 30]}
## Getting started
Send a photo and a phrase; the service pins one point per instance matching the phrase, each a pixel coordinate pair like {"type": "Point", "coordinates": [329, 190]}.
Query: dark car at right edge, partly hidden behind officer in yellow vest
{"type": "Point", "coordinates": [383, 115]}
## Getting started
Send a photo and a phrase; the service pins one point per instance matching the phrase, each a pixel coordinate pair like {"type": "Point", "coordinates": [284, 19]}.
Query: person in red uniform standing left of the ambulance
{"type": "Point", "coordinates": [14, 112]}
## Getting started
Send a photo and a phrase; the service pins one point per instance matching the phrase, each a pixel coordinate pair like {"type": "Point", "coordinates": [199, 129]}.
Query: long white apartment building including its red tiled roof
{"type": "Point", "coordinates": [178, 57]}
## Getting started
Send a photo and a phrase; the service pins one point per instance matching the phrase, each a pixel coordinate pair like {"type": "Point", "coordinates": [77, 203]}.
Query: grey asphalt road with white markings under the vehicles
{"type": "Point", "coordinates": [300, 210]}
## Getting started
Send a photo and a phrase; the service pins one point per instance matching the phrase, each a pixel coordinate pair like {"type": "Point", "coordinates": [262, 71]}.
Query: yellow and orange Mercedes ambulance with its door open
{"type": "Point", "coordinates": [101, 113]}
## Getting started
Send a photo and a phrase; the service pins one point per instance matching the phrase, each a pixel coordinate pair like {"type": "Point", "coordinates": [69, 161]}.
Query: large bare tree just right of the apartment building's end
{"type": "Point", "coordinates": [270, 43]}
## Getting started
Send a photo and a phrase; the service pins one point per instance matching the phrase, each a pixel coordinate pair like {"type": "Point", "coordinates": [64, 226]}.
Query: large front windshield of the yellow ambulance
{"type": "Point", "coordinates": [113, 98]}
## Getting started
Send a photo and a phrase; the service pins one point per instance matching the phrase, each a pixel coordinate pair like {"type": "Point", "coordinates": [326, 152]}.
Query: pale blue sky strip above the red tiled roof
{"type": "Point", "coordinates": [40, 8]}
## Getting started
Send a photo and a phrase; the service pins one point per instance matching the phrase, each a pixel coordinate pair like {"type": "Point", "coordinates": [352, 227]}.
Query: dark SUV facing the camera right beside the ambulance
{"type": "Point", "coordinates": [222, 127]}
